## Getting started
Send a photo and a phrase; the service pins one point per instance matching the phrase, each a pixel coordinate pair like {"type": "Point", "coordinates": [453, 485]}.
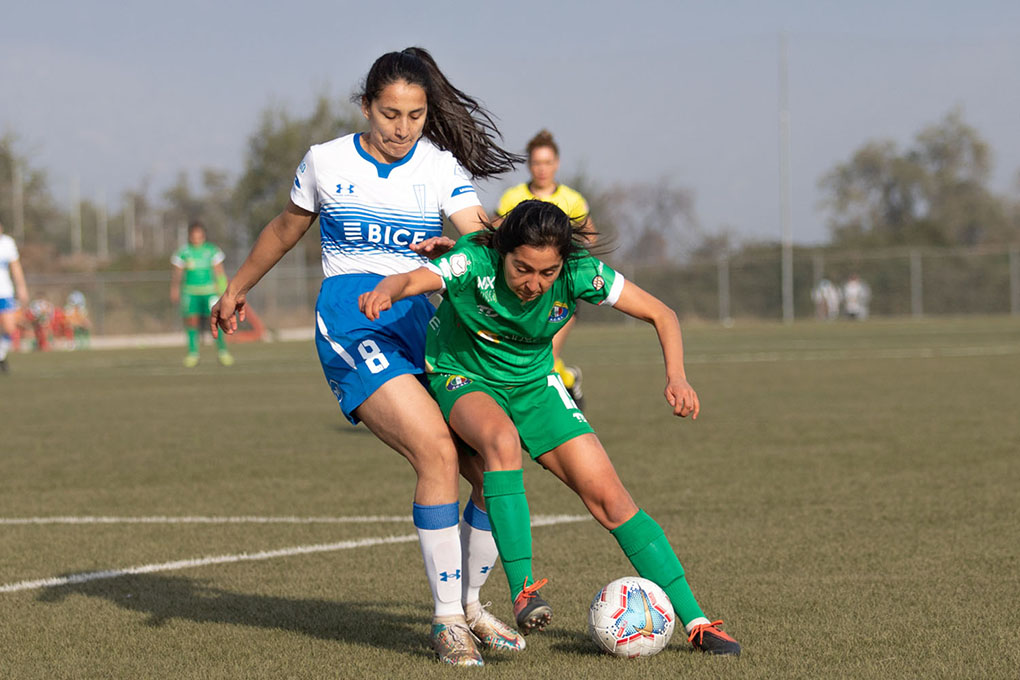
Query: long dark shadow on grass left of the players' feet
{"type": "Point", "coordinates": [167, 598]}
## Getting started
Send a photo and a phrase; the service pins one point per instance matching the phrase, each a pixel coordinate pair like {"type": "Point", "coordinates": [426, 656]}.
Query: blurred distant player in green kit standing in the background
{"type": "Point", "coordinates": [197, 281]}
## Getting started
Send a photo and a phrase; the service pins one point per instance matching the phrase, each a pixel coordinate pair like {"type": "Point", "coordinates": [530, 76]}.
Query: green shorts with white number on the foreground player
{"type": "Point", "coordinates": [543, 411]}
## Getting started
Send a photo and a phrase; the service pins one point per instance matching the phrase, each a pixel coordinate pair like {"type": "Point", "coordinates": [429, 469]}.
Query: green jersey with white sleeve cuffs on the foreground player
{"type": "Point", "coordinates": [484, 331]}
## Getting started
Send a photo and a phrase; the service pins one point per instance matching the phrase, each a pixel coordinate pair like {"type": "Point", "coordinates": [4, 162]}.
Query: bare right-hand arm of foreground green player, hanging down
{"type": "Point", "coordinates": [642, 305]}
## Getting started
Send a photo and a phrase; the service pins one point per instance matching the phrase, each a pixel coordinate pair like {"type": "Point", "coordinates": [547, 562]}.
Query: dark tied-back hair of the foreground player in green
{"type": "Point", "coordinates": [537, 224]}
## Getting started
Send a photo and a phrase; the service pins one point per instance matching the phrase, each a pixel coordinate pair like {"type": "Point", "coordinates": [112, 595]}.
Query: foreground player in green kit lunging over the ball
{"type": "Point", "coordinates": [489, 353]}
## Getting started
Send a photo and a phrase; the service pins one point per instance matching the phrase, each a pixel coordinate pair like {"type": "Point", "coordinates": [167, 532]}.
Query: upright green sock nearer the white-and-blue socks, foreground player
{"type": "Point", "coordinates": [512, 521]}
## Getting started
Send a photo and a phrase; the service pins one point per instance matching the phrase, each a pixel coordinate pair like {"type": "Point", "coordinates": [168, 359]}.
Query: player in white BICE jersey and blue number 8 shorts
{"type": "Point", "coordinates": [381, 197]}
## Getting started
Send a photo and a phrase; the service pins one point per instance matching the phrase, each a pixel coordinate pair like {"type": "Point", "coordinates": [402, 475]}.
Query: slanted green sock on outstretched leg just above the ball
{"type": "Point", "coordinates": [646, 546]}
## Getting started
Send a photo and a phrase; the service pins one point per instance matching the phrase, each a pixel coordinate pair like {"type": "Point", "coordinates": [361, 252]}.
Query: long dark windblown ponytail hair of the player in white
{"type": "Point", "coordinates": [456, 122]}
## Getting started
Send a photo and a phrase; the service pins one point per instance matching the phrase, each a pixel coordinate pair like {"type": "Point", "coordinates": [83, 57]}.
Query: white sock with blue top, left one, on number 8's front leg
{"type": "Point", "coordinates": [440, 541]}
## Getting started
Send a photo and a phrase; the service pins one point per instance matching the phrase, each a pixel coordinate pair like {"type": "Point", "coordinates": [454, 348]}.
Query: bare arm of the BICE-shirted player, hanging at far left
{"type": "Point", "coordinates": [277, 239]}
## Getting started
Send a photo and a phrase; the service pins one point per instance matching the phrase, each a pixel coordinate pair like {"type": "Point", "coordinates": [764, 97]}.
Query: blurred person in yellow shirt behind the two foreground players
{"type": "Point", "coordinates": [543, 164]}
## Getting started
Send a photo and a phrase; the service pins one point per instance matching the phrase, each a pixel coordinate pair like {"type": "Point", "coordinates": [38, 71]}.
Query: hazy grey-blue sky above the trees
{"type": "Point", "coordinates": [120, 93]}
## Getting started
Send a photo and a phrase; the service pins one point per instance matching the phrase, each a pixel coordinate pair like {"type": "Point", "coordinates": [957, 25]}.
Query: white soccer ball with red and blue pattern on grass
{"type": "Point", "coordinates": [632, 617]}
